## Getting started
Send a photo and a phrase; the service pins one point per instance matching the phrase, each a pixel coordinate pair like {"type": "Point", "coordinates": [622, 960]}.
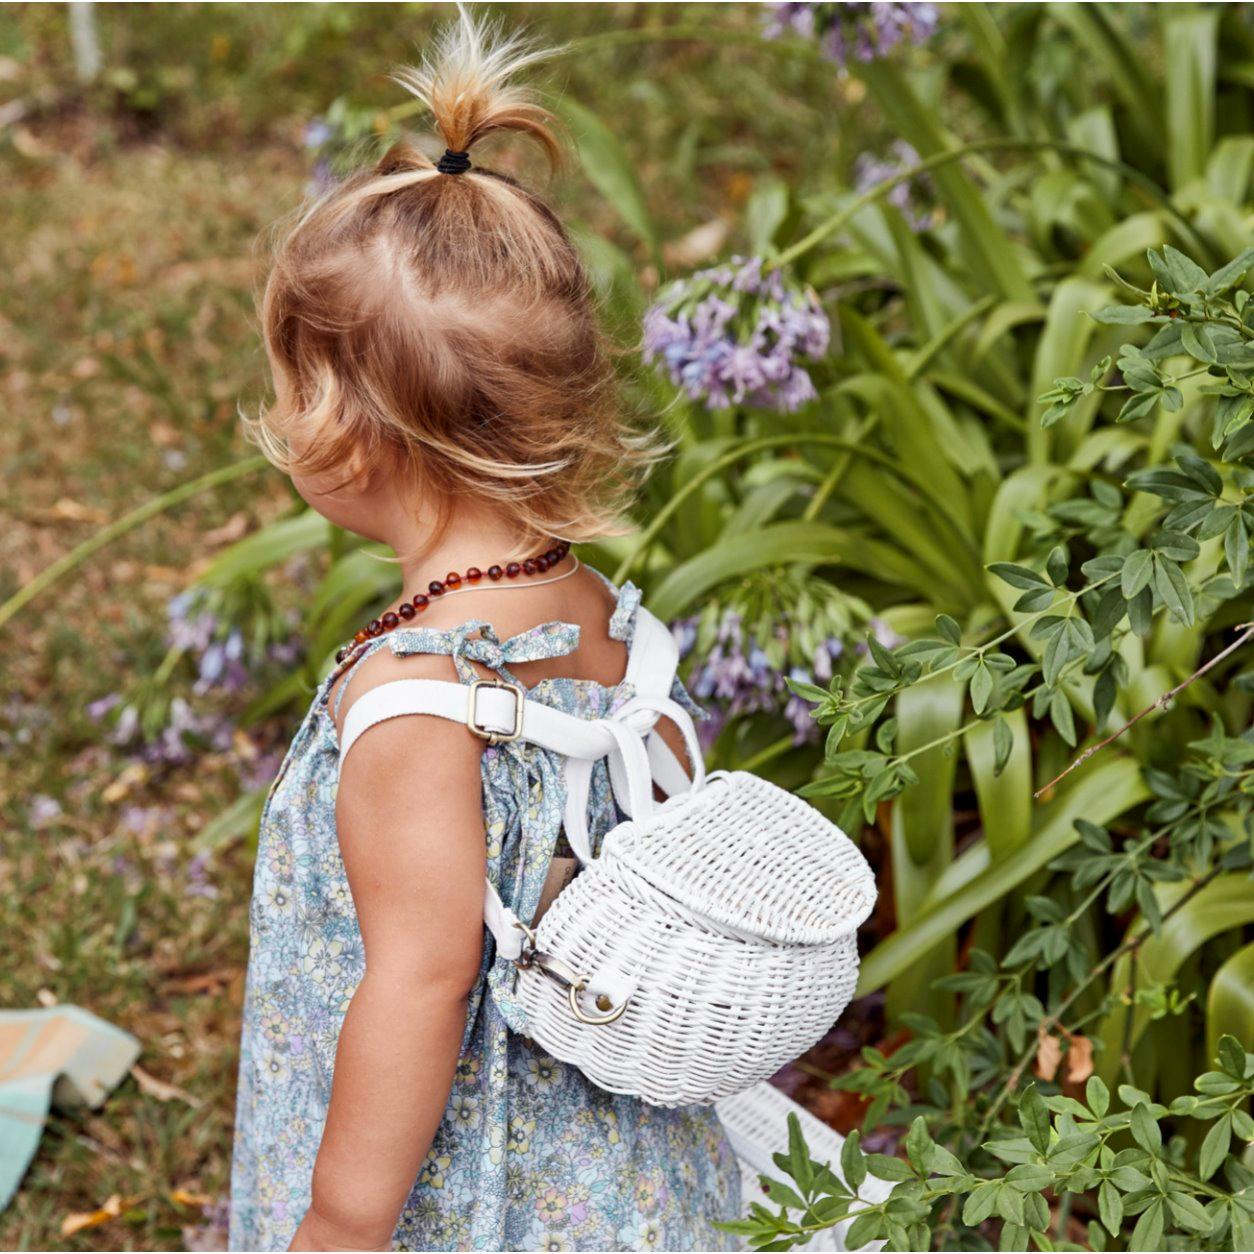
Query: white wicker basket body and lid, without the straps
{"type": "Point", "coordinates": [732, 959]}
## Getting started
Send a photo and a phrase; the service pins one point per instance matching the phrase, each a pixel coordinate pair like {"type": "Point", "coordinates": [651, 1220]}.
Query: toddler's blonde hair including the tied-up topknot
{"type": "Point", "coordinates": [446, 322]}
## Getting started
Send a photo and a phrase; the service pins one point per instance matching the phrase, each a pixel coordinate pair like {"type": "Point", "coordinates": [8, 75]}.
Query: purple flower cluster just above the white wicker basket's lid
{"type": "Point", "coordinates": [737, 677]}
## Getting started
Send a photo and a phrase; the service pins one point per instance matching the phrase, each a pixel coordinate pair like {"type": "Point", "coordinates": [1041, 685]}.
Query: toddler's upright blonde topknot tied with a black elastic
{"type": "Point", "coordinates": [466, 82]}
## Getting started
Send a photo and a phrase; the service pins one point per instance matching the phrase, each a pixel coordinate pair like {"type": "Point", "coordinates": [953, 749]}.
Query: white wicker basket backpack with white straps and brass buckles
{"type": "Point", "coordinates": [713, 939]}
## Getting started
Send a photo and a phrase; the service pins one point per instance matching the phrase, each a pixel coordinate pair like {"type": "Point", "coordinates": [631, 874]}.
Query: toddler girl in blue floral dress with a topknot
{"type": "Point", "coordinates": [441, 387]}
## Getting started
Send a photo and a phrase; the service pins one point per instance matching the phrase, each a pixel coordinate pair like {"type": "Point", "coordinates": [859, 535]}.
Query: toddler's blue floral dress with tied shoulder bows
{"type": "Point", "coordinates": [531, 1156]}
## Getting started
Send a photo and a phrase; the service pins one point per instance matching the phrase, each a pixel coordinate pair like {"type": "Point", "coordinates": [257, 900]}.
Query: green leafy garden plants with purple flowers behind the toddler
{"type": "Point", "coordinates": [991, 409]}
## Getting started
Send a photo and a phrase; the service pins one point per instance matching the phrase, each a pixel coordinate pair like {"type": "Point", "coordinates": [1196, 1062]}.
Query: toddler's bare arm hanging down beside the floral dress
{"type": "Point", "coordinates": [409, 817]}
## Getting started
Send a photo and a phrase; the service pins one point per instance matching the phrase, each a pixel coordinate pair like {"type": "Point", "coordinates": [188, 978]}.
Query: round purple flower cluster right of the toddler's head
{"type": "Point", "coordinates": [737, 335]}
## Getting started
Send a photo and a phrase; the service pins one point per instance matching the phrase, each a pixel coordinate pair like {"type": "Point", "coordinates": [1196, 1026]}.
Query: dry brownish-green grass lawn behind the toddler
{"type": "Point", "coordinates": [129, 268]}
